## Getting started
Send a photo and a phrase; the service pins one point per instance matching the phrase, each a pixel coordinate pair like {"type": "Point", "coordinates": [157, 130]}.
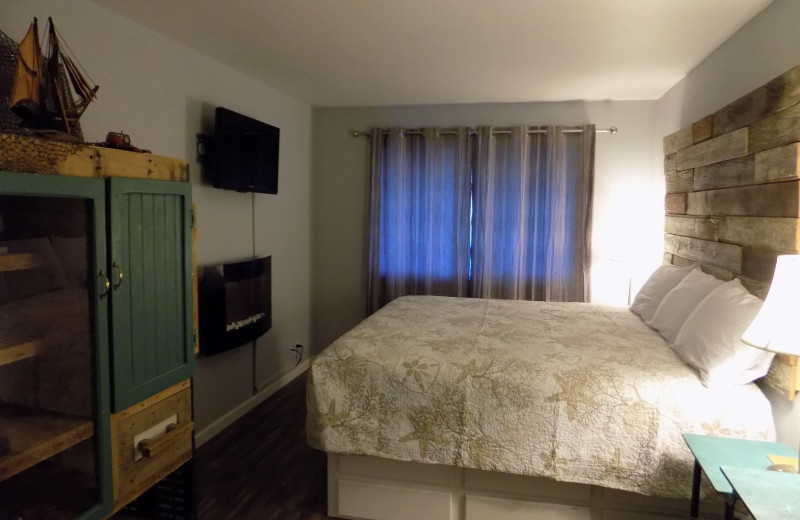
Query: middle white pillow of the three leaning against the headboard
{"type": "Point", "coordinates": [679, 303]}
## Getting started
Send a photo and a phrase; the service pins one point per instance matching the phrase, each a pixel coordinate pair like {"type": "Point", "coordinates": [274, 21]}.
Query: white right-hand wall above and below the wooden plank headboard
{"type": "Point", "coordinates": [764, 48]}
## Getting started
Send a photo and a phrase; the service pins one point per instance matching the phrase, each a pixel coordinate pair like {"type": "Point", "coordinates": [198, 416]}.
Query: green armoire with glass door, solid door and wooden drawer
{"type": "Point", "coordinates": [95, 316]}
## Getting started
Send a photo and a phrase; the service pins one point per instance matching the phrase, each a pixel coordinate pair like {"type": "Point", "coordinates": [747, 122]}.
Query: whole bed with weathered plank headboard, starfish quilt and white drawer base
{"type": "Point", "coordinates": [442, 409]}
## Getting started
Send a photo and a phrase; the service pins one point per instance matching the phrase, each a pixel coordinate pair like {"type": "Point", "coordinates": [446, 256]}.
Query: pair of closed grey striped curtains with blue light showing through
{"type": "Point", "coordinates": [528, 237]}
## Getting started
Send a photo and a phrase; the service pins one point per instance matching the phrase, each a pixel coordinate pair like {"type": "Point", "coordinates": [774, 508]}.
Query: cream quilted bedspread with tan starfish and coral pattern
{"type": "Point", "coordinates": [575, 392]}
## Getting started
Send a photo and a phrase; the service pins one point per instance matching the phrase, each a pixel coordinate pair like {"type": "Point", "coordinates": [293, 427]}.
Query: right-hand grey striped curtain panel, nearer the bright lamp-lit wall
{"type": "Point", "coordinates": [532, 214]}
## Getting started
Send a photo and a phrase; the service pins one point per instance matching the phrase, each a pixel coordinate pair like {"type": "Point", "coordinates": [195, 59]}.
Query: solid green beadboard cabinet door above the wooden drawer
{"type": "Point", "coordinates": [150, 270]}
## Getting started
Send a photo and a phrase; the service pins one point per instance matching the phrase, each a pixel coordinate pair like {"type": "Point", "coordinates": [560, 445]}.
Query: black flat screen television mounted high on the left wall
{"type": "Point", "coordinates": [245, 156]}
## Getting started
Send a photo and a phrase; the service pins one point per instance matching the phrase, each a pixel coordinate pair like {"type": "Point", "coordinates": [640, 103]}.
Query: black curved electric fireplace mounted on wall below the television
{"type": "Point", "coordinates": [235, 304]}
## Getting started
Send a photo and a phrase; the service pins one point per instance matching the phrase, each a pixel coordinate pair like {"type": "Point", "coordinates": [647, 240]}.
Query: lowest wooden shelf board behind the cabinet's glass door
{"type": "Point", "coordinates": [37, 435]}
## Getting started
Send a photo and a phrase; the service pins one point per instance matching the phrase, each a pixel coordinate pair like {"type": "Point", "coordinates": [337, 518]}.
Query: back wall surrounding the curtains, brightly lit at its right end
{"type": "Point", "coordinates": [627, 184]}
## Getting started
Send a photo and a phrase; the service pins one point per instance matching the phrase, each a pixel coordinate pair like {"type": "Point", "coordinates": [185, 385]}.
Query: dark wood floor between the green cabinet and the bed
{"type": "Point", "coordinates": [261, 468]}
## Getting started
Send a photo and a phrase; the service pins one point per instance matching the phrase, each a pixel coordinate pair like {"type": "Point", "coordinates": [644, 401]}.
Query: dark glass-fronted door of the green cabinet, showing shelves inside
{"type": "Point", "coordinates": [65, 217]}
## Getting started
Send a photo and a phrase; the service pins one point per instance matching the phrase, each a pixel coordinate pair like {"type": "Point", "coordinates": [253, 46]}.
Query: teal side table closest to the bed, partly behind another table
{"type": "Point", "coordinates": [710, 453]}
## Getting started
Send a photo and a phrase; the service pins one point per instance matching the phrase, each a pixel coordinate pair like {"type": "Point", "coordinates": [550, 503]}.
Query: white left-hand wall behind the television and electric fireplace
{"type": "Point", "coordinates": [162, 94]}
